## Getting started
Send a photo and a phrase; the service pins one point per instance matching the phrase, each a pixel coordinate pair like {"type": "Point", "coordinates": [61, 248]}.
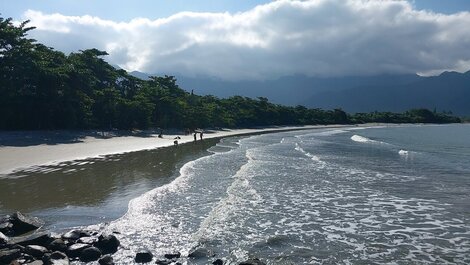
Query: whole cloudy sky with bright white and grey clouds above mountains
{"type": "Point", "coordinates": [258, 39]}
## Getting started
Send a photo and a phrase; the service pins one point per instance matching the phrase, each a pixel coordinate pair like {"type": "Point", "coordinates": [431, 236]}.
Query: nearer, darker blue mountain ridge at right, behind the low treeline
{"type": "Point", "coordinates": [449, 91]}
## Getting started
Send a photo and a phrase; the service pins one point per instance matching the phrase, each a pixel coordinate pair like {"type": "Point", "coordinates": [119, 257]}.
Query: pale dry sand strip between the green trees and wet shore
{"type": "Point", "coordinates": [16, 154]}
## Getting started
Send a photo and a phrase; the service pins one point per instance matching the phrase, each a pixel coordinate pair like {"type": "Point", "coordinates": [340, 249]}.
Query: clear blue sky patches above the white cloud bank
{"type": "Point", "coordinates": [152, 9]}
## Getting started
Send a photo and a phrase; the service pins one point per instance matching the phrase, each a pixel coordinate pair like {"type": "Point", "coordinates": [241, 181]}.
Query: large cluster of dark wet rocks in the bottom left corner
{"type": "Point", "coordinates": [41, 248]}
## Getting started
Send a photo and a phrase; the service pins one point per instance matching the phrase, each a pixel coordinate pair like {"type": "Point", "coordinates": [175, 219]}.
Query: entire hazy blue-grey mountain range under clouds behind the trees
{"type": "Point", "coordinates": [449, 91]}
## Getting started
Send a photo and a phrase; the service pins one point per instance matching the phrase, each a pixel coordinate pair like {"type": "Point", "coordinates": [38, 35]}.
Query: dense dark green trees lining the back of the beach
{"type": "Point", "coordinates": [41, 88]}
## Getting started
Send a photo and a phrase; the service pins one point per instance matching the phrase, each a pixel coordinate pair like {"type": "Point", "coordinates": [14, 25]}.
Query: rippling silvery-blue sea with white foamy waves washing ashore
{"type": "Point", "coordinates": [395, 195]}
